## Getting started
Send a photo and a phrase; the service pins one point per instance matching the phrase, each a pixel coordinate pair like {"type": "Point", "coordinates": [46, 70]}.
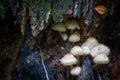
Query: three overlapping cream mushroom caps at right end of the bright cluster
{"type": "Point", "coordinates": [98, 51]}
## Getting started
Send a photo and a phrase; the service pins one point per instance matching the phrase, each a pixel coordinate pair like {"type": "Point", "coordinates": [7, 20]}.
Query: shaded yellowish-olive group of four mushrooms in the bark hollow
{"type": "Point", "coordinates": [69, 30]}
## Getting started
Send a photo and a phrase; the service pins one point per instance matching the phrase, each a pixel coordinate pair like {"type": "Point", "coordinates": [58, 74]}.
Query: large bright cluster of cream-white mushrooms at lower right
{"type": "Point", "coordinates": [99, 52]}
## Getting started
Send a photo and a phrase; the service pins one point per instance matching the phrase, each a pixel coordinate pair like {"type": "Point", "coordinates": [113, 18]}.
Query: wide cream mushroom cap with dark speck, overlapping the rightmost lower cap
{"type": "Point", "coordinates": [100, 48]}
